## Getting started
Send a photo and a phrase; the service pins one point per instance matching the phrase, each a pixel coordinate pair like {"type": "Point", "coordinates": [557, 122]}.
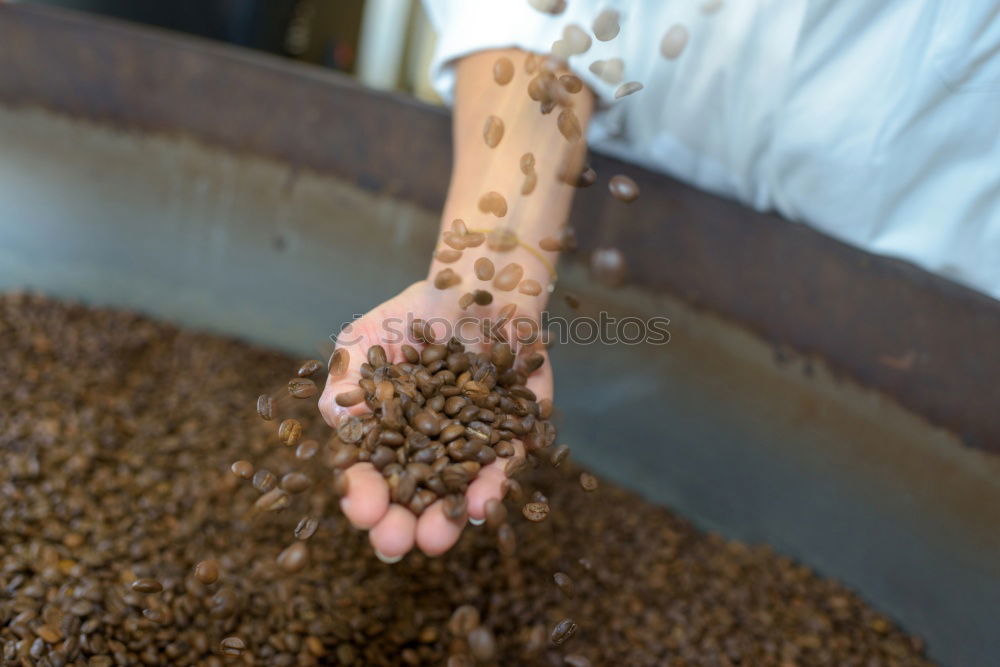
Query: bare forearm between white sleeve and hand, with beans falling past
{"type": "Point", "coordinates": [478, 169]}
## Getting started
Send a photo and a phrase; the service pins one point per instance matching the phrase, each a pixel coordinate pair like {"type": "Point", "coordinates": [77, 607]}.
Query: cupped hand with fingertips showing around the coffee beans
{"type": "Point", "coordinates": [394, 529]}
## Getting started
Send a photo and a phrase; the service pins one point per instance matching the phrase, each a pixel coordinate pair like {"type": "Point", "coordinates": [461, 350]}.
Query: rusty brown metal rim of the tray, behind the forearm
{"type": "Point", "coordinates": [928, 343]}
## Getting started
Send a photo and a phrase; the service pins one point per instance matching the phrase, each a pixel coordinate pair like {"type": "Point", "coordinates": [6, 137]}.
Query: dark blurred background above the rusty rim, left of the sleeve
{"type": "Point", "coordinates": [387, 44]}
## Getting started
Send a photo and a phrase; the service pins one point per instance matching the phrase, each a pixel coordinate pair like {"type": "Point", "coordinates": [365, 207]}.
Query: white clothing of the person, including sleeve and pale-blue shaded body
{"type": "Point", "coordinates": [877, 121]}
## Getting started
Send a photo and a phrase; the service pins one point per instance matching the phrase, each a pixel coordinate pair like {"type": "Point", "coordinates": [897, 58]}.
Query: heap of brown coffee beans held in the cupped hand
{"type": "Point", "coordinates": [436, 420]}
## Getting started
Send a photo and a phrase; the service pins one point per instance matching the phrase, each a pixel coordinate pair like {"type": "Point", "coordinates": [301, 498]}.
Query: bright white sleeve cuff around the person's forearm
{"type": "Point", "coordinates": [467, 26]}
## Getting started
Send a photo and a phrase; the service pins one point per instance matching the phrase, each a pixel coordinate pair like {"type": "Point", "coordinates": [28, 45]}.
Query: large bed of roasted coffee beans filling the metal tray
{"type": "Point", "coordinates": [126, 539]}
